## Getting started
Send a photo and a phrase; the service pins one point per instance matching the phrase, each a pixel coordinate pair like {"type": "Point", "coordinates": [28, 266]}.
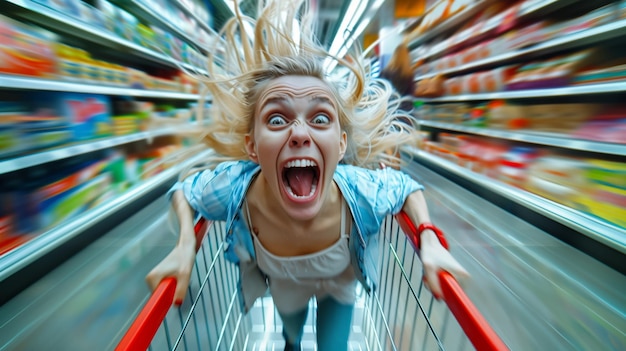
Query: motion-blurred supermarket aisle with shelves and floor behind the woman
{"type": "Point", "coordinates": [522, 151]}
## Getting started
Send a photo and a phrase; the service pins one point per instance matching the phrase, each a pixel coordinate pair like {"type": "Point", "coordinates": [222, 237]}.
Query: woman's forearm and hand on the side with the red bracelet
{"type": "Point", "coordinates": [433, 255]}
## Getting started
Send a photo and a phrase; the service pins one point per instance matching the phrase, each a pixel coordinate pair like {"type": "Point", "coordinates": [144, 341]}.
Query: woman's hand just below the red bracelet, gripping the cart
{"type": "Point", "coordinates": [436, 258]}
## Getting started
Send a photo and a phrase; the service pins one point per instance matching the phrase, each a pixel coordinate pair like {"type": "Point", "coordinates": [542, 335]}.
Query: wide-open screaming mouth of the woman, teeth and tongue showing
{"type": "Point", "coordinates": [300, 178]}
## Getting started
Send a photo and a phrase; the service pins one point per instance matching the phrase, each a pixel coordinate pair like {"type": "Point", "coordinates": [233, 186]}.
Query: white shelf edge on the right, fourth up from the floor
{"type": "Point", "coordinates": [572, 41]}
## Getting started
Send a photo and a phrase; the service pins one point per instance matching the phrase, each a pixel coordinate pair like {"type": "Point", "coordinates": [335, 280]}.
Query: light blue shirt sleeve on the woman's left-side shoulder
{"type": "Point", "coordinates": [208, 191]}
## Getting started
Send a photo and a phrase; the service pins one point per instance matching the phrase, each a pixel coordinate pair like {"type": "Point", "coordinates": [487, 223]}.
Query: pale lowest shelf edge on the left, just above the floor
{"type": "Point", "coordinates": [37, 247]}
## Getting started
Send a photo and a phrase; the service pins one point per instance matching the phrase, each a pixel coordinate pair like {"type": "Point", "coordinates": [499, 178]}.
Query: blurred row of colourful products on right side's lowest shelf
{"type": "Point", "coordinates": [591, 185]}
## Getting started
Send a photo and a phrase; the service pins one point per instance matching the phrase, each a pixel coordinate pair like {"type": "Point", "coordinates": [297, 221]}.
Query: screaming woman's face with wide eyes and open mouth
{"type": "Point", "coordinates": [298, 142]}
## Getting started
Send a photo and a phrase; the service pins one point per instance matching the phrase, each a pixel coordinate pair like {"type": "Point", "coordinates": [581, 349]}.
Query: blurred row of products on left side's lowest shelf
{"type": "Point", "coordinates": [48, 196]}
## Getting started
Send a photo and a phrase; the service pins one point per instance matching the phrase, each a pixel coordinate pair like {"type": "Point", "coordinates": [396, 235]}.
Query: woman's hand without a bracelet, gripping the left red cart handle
{"type": "Point", "coordinates": [178, 264]}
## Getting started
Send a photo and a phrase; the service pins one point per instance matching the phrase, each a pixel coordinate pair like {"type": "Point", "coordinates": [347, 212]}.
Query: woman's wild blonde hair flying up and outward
{"type": "Point", "coordinates": [367, 106]}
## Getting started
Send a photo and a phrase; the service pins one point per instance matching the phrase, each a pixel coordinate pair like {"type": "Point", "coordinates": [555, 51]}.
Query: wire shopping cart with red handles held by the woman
{"type": "Point", "coordinates": [399, 315]}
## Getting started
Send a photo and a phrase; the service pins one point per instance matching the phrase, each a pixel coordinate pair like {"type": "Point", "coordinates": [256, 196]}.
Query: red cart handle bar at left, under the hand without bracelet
{"type": "Point", "coordinates": [147, 323]}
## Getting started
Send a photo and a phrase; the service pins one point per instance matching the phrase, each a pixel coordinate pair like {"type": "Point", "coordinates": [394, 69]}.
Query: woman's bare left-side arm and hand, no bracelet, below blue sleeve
{"type": "Point", "coordinates": [179, 262]}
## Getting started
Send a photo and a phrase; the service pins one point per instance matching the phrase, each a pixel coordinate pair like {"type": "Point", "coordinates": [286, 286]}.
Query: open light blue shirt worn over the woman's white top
{"type": "Point", "coordinates": [371, 195]}
